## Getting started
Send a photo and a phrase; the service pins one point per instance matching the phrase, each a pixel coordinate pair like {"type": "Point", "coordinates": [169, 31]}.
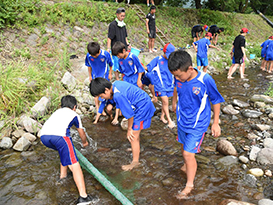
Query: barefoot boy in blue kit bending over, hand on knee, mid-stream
{"type": "Point", "coordinates": [135, 105]}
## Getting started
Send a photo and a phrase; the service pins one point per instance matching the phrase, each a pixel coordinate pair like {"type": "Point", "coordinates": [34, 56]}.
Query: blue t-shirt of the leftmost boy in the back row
{"type": "Point", "coordinates": [99, 64]}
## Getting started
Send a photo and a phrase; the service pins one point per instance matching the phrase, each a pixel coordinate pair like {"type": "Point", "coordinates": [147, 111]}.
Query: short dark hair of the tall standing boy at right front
{"type": "Point", "coordinates": [179, 60]}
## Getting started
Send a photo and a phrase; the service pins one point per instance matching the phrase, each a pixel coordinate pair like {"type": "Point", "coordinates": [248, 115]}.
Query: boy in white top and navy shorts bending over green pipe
{"type": "Point", "coordinates": [55, 134]}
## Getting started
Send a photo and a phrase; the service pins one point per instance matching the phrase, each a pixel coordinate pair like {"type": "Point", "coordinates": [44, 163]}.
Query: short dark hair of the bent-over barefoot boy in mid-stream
{"type": "Point", "coordinates": [97, 86]}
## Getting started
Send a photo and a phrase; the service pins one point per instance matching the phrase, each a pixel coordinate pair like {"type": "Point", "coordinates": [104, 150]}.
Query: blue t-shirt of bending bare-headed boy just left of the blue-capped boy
{"type": "Point", "coordinates": [130, 67]}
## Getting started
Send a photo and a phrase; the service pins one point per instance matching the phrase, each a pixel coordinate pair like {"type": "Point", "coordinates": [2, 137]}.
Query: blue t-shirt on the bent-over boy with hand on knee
{"type": "Point", "coordinates": [132, 101]}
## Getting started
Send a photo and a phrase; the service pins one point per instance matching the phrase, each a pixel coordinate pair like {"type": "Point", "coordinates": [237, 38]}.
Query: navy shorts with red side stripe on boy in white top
{"type": "Point", "coordinates": [63, 145]}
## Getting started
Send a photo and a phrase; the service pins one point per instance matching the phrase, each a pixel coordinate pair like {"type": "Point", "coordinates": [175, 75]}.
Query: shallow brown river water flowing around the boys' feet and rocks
{"type": "Point", "coordinates": [30, 177]}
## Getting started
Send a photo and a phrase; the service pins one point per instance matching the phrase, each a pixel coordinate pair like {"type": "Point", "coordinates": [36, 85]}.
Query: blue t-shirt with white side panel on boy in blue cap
{"type": "Point", "coordinates": [160, 75]}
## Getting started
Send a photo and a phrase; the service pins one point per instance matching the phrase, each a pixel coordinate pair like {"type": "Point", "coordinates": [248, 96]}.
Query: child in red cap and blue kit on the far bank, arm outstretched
{"type": "Point", "coordinates": [202, 51]}
